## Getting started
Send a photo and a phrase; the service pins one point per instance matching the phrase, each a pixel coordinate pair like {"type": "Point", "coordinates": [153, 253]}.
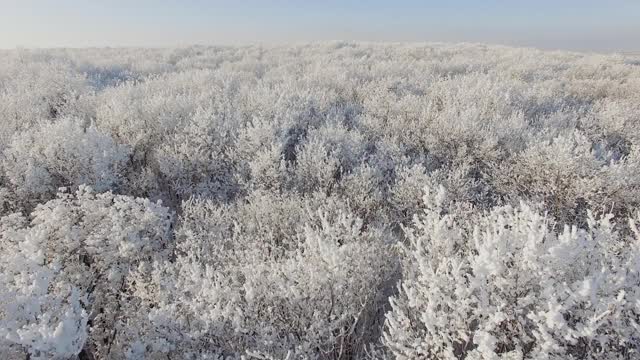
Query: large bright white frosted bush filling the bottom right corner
{"type": "Point", "coordinates": [503, 285]}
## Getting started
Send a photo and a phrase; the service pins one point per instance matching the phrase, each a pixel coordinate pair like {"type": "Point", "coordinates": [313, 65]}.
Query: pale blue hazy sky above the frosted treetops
{"type": "Point", "coordinates": [587, 25]}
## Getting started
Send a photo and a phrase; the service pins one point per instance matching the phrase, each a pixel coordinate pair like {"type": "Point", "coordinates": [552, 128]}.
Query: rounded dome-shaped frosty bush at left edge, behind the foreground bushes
{"type": "Point", "coordinates": [66, 153]}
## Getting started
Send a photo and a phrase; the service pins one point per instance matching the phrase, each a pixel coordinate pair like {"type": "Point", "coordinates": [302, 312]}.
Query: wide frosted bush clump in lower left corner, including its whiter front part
{"type": "Point", "coordinates": [66, 268]}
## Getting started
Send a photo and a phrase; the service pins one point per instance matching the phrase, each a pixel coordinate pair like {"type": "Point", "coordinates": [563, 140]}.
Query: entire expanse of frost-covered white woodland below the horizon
{"type": "Point", "coordinates": [322, 201]}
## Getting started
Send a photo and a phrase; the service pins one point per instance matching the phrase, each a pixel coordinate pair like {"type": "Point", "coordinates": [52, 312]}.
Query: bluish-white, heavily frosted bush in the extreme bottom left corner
{"type": "Point", "coordinates": [42, 313]}
